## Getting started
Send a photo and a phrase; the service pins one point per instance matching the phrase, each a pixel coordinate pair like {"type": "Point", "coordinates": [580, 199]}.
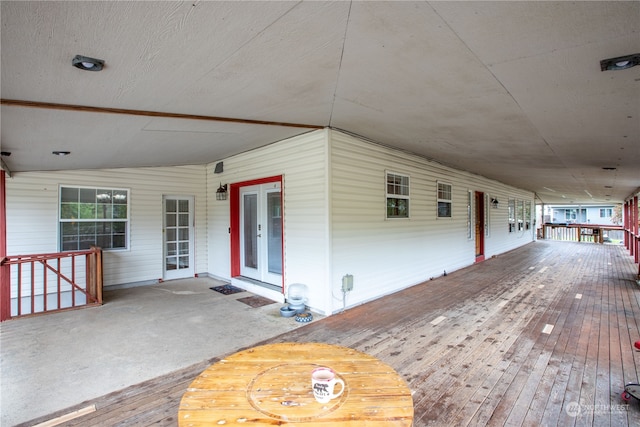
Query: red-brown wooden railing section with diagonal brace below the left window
{"type": "Point", "coordinates": [34, 284]}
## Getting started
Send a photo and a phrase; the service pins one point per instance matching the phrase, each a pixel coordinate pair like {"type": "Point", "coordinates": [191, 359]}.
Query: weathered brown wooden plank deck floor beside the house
{"type": "Point", "coordinates": [542, 335]}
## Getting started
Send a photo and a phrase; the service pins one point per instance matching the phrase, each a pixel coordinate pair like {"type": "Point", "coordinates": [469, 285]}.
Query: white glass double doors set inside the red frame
{"type": "Point", "coordinates": [261, 233]}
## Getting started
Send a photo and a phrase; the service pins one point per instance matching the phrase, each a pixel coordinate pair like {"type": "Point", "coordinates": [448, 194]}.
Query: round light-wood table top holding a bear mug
{"type": "Point", "coordinates": [271, 385]}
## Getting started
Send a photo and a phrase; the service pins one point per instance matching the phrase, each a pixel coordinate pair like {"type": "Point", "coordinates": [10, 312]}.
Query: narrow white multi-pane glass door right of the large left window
{"type": "Point", "coordinates": [178, 237]}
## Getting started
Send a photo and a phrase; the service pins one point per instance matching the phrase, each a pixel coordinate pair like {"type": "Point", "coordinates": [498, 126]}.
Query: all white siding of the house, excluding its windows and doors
{"type": "Point", "coordinates": [334, 216]}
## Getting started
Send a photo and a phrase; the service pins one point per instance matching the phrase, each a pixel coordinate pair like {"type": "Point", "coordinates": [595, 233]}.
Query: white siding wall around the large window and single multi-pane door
{"type": "Point", "coordinates": [32, 215]}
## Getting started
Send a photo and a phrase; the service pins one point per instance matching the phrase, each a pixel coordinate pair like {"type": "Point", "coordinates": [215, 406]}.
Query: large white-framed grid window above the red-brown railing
{"type": "Point", "coordinates": [93, 217]}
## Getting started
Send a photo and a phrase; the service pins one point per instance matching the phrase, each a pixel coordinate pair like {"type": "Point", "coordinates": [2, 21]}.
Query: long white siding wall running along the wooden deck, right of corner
{"type": "Point", "coordinates": [387, 255]}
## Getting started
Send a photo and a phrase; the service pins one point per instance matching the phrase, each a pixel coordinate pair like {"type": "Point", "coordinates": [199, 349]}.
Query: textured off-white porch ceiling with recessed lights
{"type": "Point", "coordinates": [509, 90]}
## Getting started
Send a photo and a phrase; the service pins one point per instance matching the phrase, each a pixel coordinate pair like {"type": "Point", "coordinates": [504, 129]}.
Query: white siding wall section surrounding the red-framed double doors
{"type": "Point", "coordinates": [302, 162]}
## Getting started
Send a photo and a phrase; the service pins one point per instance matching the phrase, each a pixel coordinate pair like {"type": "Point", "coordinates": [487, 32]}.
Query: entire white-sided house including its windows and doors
{"type": "Point", "coordinates": [311, 209]}
